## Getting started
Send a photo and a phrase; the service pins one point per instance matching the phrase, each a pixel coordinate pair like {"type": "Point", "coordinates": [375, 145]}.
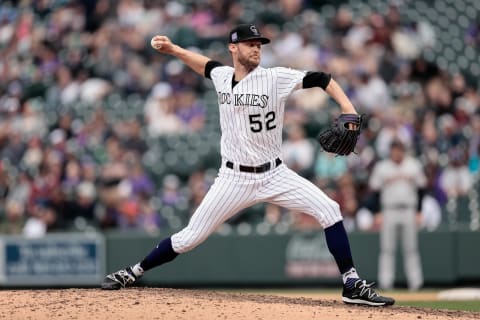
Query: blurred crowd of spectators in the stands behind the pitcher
{"type": "Point", "coordinates": [82, 95]}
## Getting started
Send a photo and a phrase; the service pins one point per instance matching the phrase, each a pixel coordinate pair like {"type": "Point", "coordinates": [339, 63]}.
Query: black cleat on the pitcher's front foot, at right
{"type": "Point", "coordinates": [363, 294]}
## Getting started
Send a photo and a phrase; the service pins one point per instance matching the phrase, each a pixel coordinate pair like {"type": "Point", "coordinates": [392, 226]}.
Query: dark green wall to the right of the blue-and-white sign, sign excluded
{"type": "Point", "coordinates": [448, 258]}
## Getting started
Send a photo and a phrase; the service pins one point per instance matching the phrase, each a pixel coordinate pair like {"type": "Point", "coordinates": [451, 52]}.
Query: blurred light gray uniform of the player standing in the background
{"type": "Point", "coordinates": [398, 185]}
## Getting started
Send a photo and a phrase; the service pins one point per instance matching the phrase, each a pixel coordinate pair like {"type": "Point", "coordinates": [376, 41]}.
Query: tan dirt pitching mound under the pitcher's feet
{"type": "Point", "coordinates": [165, 304]}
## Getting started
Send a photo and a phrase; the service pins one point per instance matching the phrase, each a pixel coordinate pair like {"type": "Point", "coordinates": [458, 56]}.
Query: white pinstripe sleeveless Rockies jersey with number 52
{"type": "Point", "coordinates": [251, 114]}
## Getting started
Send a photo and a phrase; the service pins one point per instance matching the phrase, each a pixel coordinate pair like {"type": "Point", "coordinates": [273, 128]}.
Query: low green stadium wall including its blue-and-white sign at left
{"type": "Point", "coordinates": [294, 259]}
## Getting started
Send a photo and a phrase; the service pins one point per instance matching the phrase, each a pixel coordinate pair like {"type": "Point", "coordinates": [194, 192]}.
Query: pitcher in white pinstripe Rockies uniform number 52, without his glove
{"type": "Point", "coordinates": [251, 104]}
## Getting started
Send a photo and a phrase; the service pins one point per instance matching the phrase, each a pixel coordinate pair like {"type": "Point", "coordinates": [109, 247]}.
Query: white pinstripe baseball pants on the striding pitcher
{"type": "Point", "coordinates": [233, 191]}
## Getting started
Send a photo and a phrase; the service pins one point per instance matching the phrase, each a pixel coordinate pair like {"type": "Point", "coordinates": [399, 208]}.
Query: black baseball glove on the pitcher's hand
{"type": "Point", "coordinates": [342, 136]}
